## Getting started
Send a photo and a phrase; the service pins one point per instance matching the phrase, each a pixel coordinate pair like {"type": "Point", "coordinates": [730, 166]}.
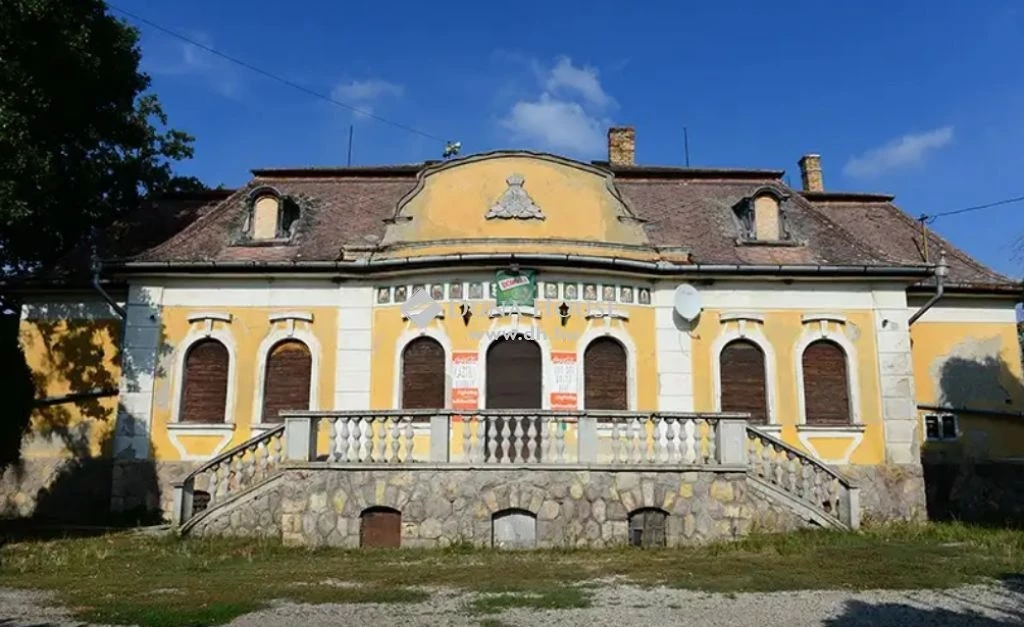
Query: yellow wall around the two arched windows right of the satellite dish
{"type": "Point", "coordinates": [783, 329]}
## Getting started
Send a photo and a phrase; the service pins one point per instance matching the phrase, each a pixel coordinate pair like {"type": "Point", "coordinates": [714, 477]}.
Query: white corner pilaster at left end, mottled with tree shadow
{"type": "Point", "coordinates": [141, 354]}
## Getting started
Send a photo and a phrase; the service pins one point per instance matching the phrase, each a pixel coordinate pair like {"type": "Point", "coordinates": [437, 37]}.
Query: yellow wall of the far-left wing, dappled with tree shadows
{"type": "Point", "coordinates": [68, 357]}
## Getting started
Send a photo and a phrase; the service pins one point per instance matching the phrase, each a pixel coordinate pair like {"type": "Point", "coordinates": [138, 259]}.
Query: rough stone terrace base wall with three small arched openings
{"type": "Point", "coordinates": [323, 508]}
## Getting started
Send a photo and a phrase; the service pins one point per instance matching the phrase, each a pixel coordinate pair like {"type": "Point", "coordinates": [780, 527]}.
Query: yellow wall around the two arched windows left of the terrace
{"type": "Point", "coordinates": [248, 329]}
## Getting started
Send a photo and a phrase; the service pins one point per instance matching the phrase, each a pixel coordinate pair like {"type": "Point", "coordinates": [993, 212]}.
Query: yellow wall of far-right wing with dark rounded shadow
{"type": "Point", "coordinates": [977, 366]}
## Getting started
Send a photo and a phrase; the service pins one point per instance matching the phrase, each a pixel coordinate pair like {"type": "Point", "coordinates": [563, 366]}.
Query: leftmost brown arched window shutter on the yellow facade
{"type": "Point", "coordinates": [204, 394]}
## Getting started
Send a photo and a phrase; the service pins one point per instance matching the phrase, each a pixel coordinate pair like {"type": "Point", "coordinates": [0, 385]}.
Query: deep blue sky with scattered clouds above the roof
{"type": "Point", "coordinates": [921, 100]}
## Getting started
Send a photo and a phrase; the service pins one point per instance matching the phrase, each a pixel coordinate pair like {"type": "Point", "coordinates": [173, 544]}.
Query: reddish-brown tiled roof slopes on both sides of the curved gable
{"type": "Point", "coordinates": [689, 210]}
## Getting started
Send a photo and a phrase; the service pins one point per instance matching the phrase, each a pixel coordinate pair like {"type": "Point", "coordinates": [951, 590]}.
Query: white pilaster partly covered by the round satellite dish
{"type": "Point", "coordinates": [675, 360]}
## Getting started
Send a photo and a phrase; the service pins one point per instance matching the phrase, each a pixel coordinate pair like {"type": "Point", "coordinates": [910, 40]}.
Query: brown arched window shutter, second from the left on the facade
{"type": "Point", "coordinates": [287, 381]}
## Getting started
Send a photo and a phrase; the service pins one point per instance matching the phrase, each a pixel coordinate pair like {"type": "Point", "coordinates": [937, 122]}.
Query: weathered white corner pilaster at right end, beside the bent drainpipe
{"type": "Point", "coordinates": [900, 410]}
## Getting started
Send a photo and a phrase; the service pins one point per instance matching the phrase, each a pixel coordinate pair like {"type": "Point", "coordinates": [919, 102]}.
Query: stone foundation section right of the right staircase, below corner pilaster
{"type": "Point", "coordinates": [894, 492]}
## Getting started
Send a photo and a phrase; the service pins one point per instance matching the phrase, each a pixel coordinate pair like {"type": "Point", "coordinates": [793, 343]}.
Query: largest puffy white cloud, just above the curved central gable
{"type": "Point", "coordinates": [570, 113]}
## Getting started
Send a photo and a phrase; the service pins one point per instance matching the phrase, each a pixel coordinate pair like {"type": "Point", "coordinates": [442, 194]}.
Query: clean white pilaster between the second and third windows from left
{"type": "Point", "coordinates": [353, 367]}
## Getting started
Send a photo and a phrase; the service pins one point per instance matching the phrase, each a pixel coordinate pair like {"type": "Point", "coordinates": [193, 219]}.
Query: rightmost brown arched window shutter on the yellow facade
{"type": "Point", "coordinates": [827, 393]}
